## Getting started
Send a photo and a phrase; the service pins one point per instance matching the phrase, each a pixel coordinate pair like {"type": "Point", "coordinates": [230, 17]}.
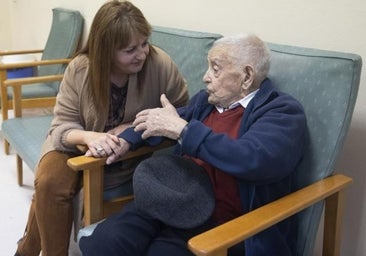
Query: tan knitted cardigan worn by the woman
{"type": "Point", "coordinates": [73, 109]}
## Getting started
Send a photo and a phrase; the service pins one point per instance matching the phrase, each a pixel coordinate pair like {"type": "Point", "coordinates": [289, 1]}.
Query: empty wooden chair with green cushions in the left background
{"type": "Point", "coordinates": [40, 91]}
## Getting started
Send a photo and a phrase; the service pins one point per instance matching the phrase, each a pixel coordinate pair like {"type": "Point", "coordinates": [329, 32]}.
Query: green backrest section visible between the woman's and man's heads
{"type": "Point", "coordinates": [189, 51]}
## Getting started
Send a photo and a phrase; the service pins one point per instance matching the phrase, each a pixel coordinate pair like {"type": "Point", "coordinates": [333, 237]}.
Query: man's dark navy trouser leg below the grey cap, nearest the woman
{"type": "Point", "coordinates": [126, 233]}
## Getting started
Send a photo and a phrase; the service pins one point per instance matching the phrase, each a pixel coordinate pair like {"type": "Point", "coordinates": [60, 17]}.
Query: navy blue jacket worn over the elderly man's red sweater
{"type": "Point", "coordinates": [263, 158]}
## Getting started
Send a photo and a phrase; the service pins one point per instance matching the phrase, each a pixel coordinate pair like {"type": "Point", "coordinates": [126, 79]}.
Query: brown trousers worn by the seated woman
{"type": "Point", "coordinates": [51, 213]}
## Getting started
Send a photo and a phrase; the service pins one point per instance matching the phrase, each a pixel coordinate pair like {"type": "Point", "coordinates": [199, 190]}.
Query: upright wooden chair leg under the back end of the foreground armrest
{"type": "Point", "coordinates": [334, 209]}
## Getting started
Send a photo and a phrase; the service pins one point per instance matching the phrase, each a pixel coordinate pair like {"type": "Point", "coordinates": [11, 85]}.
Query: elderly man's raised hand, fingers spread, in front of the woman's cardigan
{"type": "Point", "coordinates": [163, 121]}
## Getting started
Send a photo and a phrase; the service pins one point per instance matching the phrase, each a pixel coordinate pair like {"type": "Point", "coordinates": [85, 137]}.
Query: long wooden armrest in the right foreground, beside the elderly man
{"type": "Point", "coordinates": [217, 240]}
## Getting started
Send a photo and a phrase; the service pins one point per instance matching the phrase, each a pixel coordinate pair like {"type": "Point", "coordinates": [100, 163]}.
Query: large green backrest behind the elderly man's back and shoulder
{"type": "Point", "coordinates": [326, 83]}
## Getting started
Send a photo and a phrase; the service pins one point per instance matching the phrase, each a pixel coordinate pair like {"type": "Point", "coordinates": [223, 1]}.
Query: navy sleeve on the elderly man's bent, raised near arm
{"type": "Point", "coordinates": [268, 148]}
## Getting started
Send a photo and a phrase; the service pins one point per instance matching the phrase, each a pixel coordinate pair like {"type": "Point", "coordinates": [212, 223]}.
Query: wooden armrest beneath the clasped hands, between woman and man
{"type": "Point", "coordinates": [83, 162]}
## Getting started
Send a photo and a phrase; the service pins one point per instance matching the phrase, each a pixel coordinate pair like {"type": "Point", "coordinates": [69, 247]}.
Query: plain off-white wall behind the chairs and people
{"type": "Point", "coordinates": [328, 24]}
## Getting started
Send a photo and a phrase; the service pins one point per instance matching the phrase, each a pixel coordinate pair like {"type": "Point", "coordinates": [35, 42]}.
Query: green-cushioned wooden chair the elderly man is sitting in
{"type": "Point", "coordinates": [326, 83]}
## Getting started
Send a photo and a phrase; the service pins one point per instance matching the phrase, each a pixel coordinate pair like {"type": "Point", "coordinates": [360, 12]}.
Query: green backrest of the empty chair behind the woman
{"type": "Point", "coordinates": [62, 42]}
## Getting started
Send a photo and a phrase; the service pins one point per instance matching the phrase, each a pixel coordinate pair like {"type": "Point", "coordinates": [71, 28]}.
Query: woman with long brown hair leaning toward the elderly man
{"type": "Point", "coordinates": [117, 74]}
